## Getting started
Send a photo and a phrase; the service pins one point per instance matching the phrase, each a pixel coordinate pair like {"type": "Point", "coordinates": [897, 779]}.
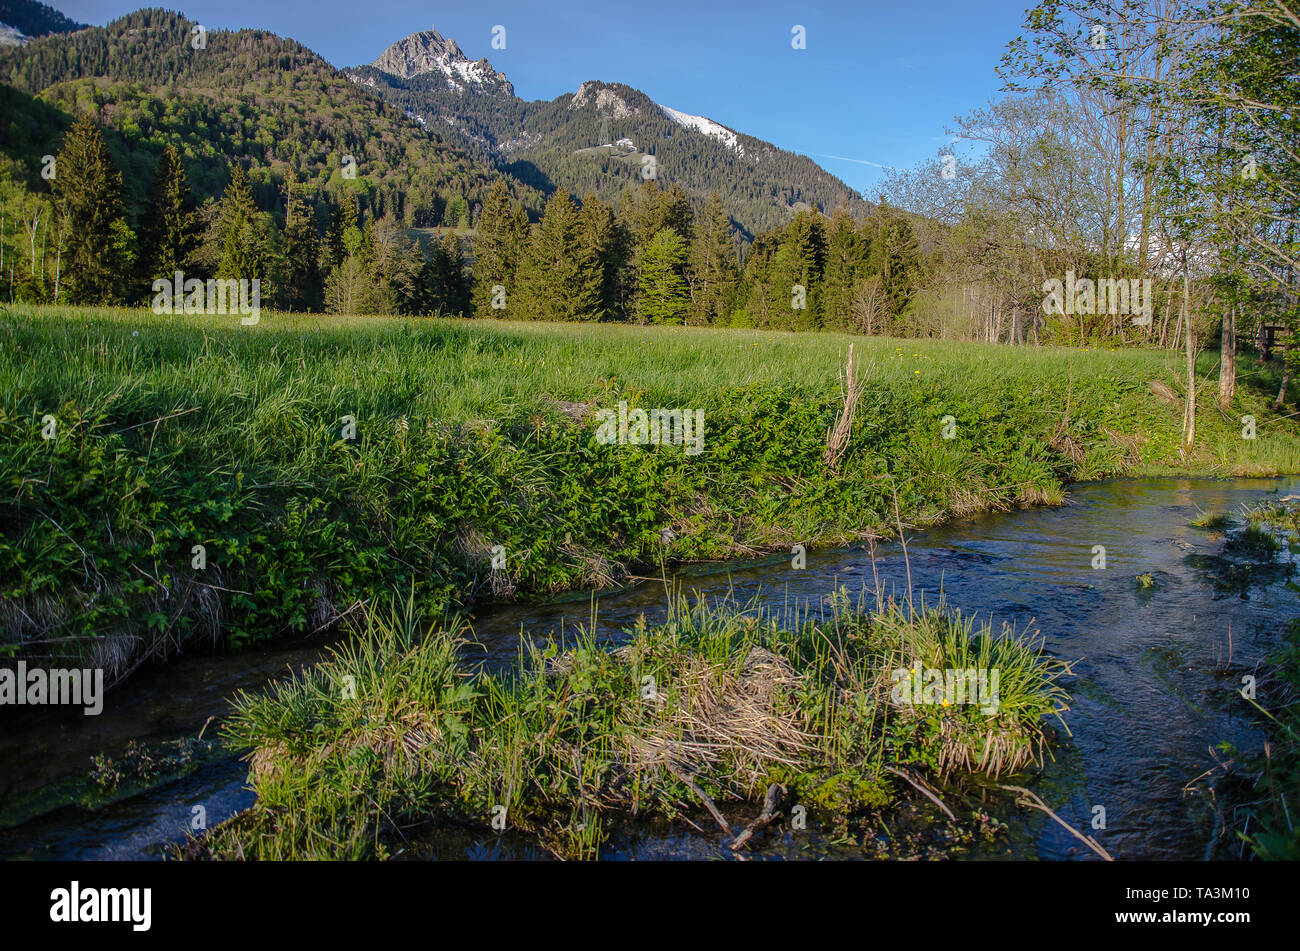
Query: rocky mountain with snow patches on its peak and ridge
{"type": "Point", "coordinates": [603, 138]}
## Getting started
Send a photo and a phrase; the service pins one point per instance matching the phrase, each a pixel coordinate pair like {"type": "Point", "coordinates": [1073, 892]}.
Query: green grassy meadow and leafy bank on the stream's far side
{"type": "Point", "coordinates": [206, 484]}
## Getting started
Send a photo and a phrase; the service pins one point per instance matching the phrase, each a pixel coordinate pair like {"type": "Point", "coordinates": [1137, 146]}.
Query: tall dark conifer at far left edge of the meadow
{"type": "Point", "coordinates": [88, 193]}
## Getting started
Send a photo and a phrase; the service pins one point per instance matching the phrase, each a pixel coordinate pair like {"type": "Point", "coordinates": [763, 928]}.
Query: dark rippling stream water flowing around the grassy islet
{"type": "Point", "coordinates": [1155, 689]}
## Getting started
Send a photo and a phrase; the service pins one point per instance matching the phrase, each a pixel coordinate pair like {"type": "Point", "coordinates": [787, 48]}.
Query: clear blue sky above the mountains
{"type": "Point", "coordinates": [876, 86]}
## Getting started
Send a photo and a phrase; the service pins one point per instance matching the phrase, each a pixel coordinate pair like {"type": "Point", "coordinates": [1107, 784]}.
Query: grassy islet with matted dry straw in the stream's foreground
{"type": "Point", "coordinates": [718, 702]}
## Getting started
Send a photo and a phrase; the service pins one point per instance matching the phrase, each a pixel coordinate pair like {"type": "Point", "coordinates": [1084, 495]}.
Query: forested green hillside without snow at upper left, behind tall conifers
{"type": "Point", "coordinates": [249, 95]}
